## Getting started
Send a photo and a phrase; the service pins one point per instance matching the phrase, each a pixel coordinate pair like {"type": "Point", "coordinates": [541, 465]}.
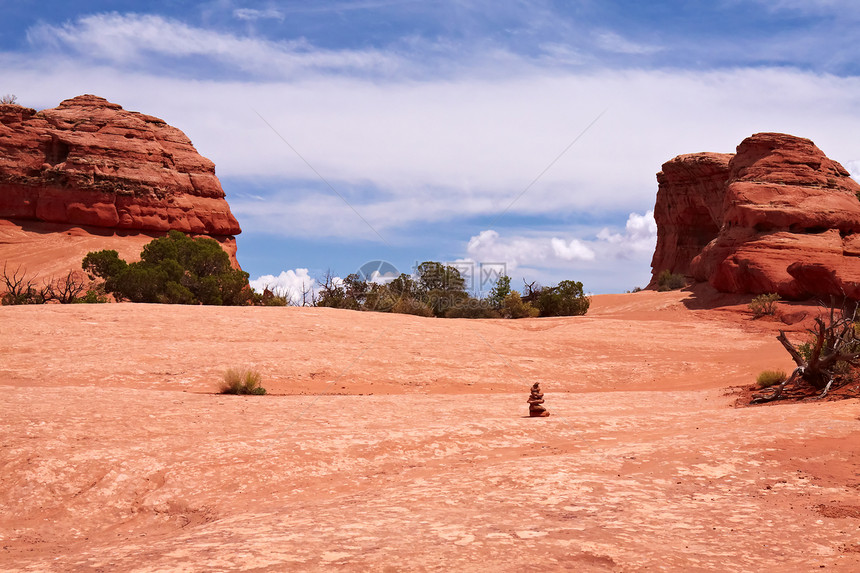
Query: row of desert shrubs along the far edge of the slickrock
{"type": "Point", "coordinates": [177, 269]}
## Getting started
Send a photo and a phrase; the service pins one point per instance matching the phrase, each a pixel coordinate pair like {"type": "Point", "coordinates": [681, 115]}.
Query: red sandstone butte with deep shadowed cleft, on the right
{"type": "Point", "coordinates": [778, 216]}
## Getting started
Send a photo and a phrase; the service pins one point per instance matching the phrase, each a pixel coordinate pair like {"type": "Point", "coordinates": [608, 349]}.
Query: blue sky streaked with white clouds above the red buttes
{"type": "Point", "coordinates": [526, 133]}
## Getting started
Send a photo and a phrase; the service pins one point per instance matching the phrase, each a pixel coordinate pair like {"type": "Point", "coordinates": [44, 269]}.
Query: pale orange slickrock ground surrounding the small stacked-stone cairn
{"type": "Point", "coordinates": [397, 443]}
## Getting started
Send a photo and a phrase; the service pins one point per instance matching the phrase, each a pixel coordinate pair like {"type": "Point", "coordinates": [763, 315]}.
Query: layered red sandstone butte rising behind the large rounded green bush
{"type": "Point", "coordinates": [95, 175]}
